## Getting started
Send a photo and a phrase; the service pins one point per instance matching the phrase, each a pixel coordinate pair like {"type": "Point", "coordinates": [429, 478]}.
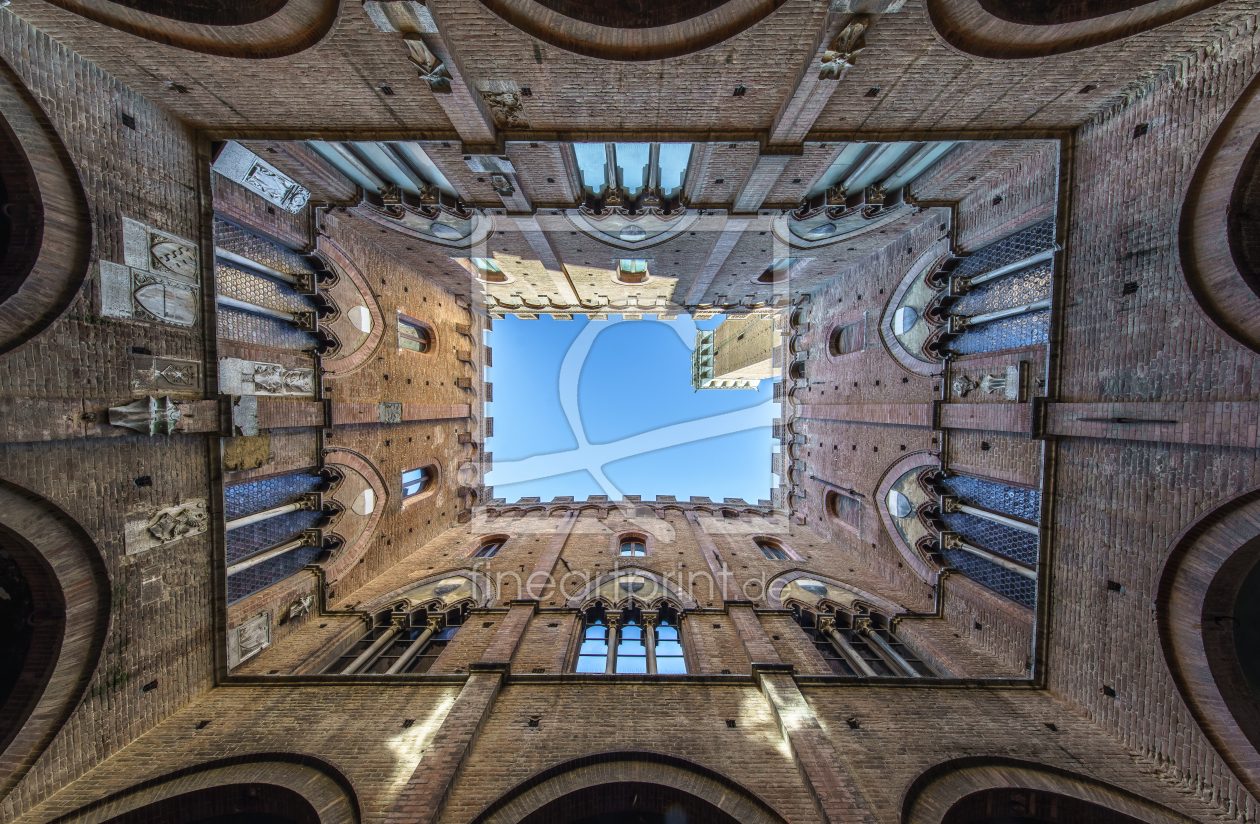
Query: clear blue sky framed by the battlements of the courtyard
{"type": "Point", "coordinates": [634, 380]}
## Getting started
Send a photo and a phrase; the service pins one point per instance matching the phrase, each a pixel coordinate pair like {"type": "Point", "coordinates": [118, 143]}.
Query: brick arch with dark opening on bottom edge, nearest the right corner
{"type": "Point", "coordinates": [980, 789]}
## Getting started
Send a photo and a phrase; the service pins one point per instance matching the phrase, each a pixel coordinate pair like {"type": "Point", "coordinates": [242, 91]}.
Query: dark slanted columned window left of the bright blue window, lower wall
{"type": "Point", "coordinates": [401, 642]}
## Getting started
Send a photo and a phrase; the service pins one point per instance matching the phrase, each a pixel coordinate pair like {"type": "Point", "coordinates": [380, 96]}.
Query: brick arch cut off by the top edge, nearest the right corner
{"type": "Point", "coordinates": [1016, 30]}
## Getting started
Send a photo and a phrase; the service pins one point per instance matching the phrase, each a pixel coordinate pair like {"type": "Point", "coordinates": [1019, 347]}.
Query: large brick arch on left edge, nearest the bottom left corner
{"type": "Point", "coordinates": [70, 590]}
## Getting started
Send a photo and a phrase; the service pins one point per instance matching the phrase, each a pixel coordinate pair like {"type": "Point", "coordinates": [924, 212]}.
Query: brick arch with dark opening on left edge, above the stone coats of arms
{"type": "Point", "coordinates": [46, 231]}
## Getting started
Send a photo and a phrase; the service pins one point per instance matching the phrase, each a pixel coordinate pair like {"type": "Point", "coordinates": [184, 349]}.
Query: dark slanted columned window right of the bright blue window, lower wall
{"type": "Point", "coordinates": [861, 646]}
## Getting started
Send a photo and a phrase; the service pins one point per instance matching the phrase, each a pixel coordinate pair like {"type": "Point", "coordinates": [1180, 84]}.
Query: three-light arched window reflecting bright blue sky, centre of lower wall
{"type": "Point", "coordinates": [632, 643]}
